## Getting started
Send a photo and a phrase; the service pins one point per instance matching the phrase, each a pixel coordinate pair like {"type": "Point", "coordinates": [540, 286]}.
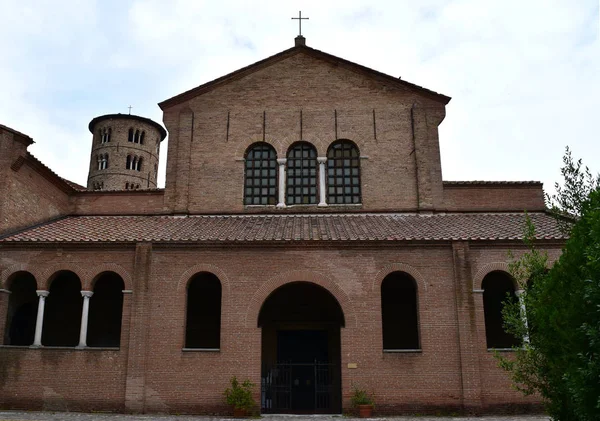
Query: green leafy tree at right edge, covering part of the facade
{"type": "Point", "coordinates": [560, 356]}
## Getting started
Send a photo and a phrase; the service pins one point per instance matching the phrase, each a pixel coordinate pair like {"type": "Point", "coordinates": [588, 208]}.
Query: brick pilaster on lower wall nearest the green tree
{"type": "Point", "coordinates": [467, 329]}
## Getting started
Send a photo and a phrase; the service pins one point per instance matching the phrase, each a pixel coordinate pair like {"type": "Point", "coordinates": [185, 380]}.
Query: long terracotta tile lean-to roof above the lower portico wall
{"type": "Point", "coordinates": [288, 228]}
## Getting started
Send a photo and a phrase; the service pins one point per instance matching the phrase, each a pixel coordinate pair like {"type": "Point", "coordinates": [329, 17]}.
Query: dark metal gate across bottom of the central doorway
{"type": "Point", "coordinates": [279, 384]}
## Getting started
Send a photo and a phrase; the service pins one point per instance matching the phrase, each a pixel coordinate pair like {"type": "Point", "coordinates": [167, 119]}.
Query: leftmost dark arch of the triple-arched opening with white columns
{"type": "Point", "coordinates": [22, 310]}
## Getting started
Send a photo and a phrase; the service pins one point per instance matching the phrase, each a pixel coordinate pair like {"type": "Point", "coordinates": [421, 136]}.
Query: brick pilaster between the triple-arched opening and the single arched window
{"type": "Point", "coordinates": [138, 333]}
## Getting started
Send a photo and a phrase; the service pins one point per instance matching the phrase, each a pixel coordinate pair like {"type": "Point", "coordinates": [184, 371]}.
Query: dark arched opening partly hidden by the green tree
{"type": "Point", "coordinates": [497, 287]}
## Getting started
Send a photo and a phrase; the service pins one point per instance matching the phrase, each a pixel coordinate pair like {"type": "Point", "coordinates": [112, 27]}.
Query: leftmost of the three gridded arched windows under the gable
{"type": "Point", "coordinates": [260, 175]}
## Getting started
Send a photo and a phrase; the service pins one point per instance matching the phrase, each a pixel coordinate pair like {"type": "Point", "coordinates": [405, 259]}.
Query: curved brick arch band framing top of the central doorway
{"type": "Point", "coordinates": [261, 295]}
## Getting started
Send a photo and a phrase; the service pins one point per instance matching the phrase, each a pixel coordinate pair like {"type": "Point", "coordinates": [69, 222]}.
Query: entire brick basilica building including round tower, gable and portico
{"type": "Point", "coordinates": [304, 240]}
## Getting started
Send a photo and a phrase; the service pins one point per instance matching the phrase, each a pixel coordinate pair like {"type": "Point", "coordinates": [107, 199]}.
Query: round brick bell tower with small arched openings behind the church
{"type": "Point", "coordinates": [125, 151]}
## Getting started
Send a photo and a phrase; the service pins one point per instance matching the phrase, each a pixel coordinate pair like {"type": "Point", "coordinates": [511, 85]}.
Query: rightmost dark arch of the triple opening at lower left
{"type": "Point", "coordinates": [106, 310]}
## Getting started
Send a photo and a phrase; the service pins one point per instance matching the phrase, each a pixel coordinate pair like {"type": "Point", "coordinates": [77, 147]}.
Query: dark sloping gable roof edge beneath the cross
{"type": "Point", "coordinates": [244, 71]}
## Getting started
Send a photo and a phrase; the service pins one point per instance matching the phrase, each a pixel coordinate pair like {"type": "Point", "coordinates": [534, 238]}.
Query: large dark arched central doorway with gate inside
{"type": "Point", "coordinates": [301, 350]}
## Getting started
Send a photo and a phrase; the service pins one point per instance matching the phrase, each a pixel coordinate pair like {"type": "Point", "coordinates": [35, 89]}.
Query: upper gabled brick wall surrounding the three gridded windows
{"type": "Point", "coordinates": [303, 98]}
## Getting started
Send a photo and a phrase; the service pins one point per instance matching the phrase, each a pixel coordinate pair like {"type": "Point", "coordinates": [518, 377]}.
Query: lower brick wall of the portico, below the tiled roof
{"type": "Point", "coordinates": [153, 374]}
